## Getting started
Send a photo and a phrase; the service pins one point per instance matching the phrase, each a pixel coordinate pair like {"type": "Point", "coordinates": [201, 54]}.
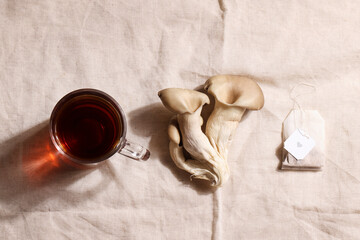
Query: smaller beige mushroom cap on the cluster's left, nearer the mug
{"type": "Point", "coordinates": [181, 101]}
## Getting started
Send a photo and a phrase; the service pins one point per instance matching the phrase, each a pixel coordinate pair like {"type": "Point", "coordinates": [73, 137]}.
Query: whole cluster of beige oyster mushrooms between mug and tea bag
{"type": "Point", "coordinates": [204, 155]}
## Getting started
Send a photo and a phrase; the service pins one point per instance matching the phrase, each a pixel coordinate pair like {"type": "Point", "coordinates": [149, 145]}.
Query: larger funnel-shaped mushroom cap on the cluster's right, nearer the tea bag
{"type": "Point", "coordinates": [234, 90]}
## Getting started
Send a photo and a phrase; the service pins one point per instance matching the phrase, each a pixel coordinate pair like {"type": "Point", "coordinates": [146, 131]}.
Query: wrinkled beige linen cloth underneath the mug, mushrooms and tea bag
{"type": "Point", "coordinates": [132, 49]}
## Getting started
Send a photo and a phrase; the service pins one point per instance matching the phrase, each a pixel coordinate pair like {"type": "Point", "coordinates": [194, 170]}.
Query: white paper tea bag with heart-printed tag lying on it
{"type": "Point", "coordinates": [304, 141]}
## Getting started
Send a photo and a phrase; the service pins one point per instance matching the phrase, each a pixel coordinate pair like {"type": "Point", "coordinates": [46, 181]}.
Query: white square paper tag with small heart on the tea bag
{"type": "Point", "coordinates": [299, 144]}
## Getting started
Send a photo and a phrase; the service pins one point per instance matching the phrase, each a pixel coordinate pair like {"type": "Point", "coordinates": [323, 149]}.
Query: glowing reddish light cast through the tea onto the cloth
{"type": "Point", "coordinates": [41, 160]}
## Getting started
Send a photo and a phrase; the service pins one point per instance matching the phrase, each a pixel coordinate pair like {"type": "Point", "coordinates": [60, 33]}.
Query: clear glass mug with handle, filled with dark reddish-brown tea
{"type": "Point", "coordinates": [88, 126]}
